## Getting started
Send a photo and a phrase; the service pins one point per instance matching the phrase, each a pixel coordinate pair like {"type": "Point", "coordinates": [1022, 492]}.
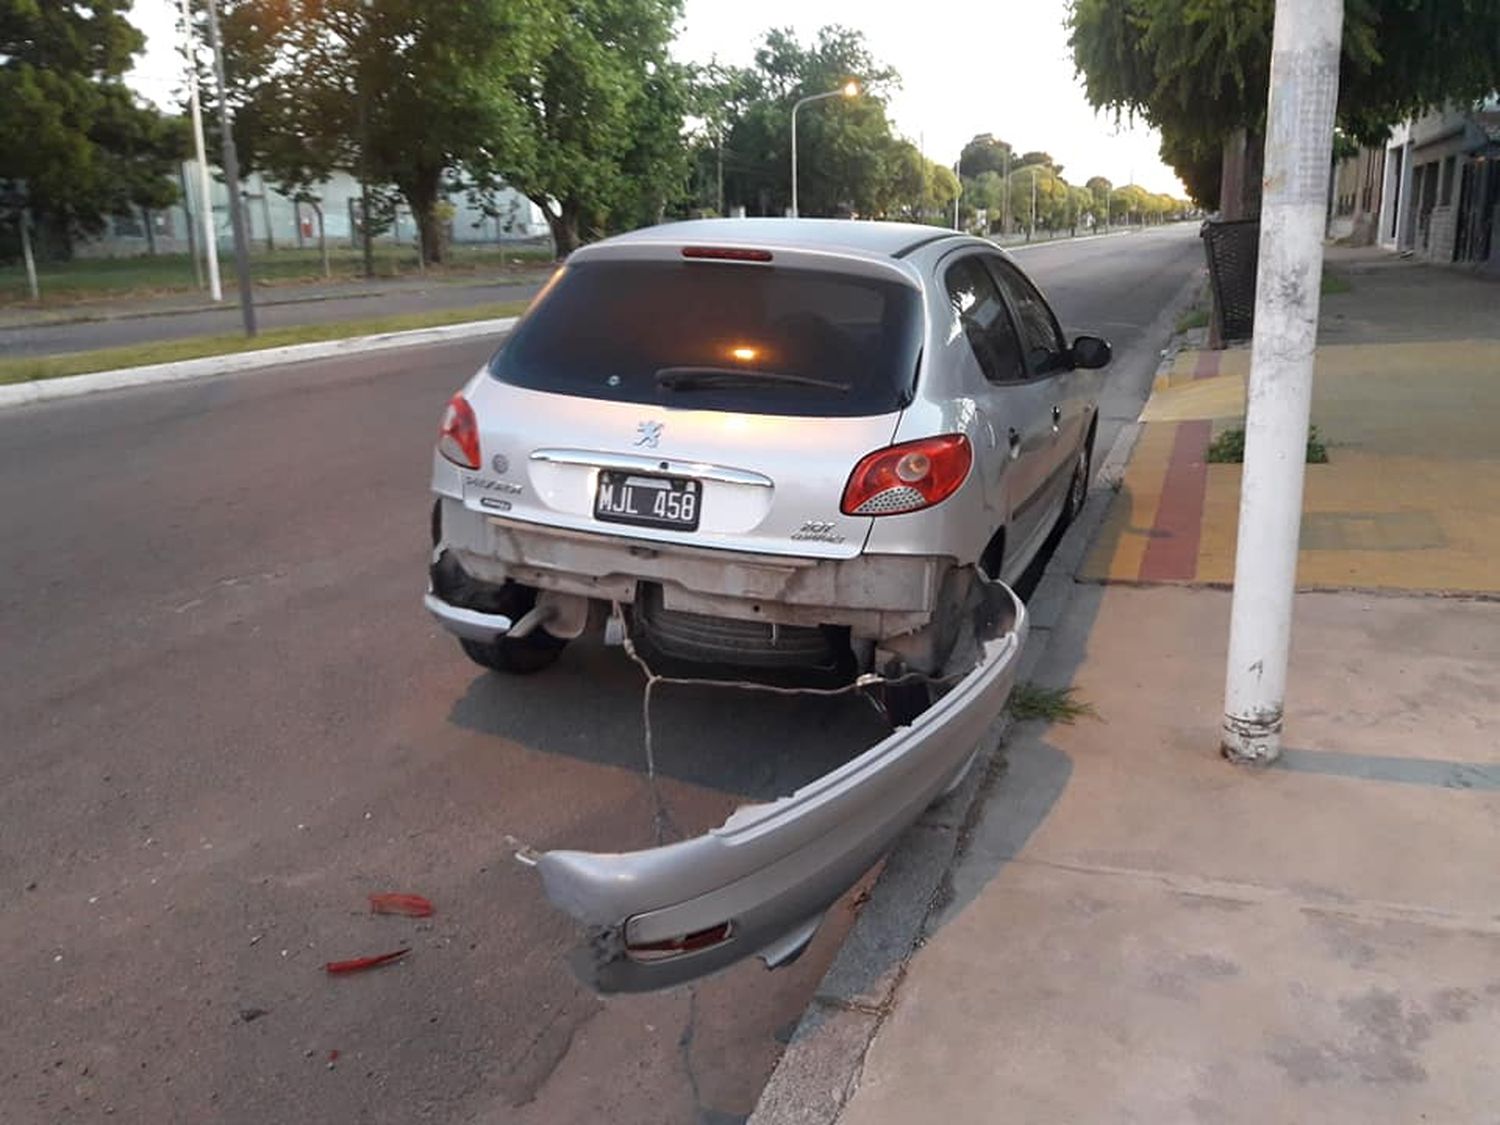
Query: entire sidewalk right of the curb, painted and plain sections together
{"type": "Point", "coordinates": [1138, 931]}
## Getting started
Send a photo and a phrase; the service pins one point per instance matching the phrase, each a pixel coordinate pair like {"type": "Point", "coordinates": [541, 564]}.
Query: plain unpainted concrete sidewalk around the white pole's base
{"type": "Point", "coordinates": [1142, 932]}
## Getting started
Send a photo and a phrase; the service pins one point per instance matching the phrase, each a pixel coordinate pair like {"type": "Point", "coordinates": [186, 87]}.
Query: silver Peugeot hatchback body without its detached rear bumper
{"type": "Point", "coordinates": [778, 443]}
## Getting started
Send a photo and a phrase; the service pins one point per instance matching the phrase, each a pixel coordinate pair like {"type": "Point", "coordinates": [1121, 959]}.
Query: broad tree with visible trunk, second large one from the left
{"type": "Point", "coordinates": [397, 92]}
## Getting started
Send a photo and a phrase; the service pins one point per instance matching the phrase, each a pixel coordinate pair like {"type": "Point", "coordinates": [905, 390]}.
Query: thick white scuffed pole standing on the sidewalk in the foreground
{"type": "Point", "coordinates": [1300, 137]}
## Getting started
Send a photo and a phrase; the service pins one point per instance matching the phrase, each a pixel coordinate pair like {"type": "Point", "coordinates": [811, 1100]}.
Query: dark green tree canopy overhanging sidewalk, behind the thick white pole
{"type": "Point", "coordinates": [1201, 70]}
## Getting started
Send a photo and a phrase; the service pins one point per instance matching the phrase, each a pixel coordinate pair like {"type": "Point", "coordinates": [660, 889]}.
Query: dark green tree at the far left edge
{"type": "Point", "coordinates": [79, 146]}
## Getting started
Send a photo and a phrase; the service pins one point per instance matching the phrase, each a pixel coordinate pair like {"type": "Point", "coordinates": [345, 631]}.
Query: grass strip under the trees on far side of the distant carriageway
{"type": "Point", "coordinates": [86, 280]}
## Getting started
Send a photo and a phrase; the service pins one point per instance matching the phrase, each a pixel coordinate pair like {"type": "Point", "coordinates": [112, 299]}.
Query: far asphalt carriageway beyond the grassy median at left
{"type": "Point", "coordinates": [277, 308]}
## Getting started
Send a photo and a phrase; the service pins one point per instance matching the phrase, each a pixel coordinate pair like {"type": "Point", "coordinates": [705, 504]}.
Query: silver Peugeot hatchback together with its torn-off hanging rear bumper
{"type": "Point", "coordinates": [767, 445]}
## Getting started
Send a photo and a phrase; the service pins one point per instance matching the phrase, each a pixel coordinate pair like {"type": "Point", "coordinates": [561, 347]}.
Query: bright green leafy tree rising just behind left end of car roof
{"type": "Point", "coordinates": [604, 109]}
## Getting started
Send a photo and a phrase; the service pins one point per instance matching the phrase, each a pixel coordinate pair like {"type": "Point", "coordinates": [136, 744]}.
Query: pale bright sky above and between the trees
{"type": "Point", "coordinates": [967, 68]}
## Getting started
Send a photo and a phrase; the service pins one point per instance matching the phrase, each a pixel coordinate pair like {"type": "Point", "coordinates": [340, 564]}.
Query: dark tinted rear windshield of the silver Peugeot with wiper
{"type": "Point", "coordinates": [730, 337]}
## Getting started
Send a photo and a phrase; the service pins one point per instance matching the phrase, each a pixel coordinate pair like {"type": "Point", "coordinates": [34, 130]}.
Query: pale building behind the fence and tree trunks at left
{"type": "Point", "coordinates": [275, 221]}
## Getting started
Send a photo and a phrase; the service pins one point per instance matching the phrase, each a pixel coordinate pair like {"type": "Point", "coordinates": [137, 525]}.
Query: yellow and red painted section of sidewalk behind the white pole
{"type": "Point", "coordinates": [1411, 499]}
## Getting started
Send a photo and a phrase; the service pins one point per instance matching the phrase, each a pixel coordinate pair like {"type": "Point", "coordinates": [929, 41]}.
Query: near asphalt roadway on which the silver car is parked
{"type": "Point", "coordinates": [227, 721]}
